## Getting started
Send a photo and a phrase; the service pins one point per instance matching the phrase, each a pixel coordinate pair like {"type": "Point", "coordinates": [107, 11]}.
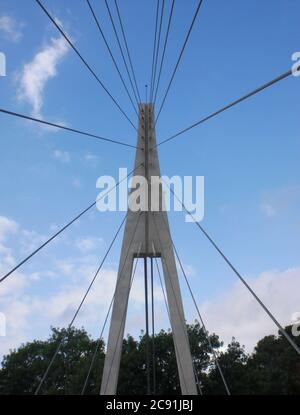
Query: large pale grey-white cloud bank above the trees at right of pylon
{"type": "Point", "coordinates": [237, 314]}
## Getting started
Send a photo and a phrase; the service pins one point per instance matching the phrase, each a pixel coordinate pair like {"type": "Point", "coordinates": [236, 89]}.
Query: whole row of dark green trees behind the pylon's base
{"type": "Point", "coordinates": [273, 367]}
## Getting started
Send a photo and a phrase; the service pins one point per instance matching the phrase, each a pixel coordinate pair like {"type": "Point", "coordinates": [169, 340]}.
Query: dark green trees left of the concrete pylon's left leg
{"type": "Point", "coordinates": [22, 369]}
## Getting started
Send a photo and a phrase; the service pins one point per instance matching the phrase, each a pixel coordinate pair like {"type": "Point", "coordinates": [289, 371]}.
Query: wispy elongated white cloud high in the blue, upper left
{"type": "Point", "coordinates": [36, 74]}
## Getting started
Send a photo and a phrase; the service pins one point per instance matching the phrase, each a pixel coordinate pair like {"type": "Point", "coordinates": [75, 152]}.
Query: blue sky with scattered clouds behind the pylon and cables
{"type": "Point", "coordinates": [248, 156]}
